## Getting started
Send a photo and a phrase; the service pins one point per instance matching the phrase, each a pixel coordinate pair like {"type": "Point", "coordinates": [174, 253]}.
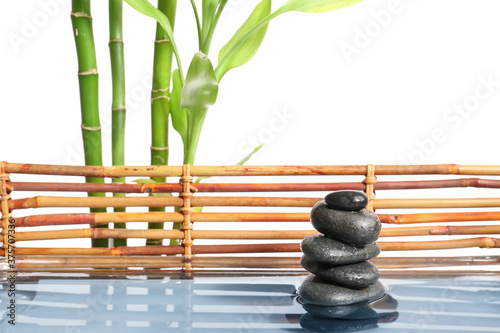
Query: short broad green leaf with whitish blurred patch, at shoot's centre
{"type": "Point", "coordinates": [201, 87]}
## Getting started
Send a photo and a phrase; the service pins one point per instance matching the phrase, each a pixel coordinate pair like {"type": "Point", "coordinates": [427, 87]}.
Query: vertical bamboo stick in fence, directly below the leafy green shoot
{"type": "Point", "coordinates": [186, 210]}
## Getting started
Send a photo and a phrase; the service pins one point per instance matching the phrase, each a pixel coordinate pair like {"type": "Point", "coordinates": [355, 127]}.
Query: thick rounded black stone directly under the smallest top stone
{"type": "Point", "coordinates": [352, 228]}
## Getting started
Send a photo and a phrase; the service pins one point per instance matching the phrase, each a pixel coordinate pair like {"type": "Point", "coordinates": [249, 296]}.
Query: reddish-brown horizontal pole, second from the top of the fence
{"type": "Point", "coordinates": [251, 187]}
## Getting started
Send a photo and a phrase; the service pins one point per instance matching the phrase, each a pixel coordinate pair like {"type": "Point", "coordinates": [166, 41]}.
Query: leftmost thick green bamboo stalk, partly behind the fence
{"type": "Point", "coordinates": [81, 20]}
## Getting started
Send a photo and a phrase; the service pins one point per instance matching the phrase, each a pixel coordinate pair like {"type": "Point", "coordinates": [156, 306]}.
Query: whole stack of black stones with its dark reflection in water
{"type": "Point", "coordinates": [343, 282]}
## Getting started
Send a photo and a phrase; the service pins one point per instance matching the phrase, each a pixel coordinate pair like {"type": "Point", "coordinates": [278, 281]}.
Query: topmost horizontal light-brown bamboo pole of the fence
{"type": "Point", "coordinates": [176, 171]}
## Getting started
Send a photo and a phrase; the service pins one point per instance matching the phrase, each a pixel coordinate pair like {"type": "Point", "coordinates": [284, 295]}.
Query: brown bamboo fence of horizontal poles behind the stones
{"type": "Point", "coordinates": [187, 199]}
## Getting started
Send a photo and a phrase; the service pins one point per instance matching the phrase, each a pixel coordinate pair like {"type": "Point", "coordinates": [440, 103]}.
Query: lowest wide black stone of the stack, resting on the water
{"type": "Point", "coordinates": [315, 290]}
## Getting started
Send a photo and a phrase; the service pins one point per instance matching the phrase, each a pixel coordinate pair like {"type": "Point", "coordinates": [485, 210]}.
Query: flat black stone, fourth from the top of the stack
{"type": "Point", "coordinates": [357, 276]}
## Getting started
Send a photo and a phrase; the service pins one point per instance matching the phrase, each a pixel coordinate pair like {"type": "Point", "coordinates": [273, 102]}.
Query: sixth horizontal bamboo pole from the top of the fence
{"type": "Point", "coordinates": [482, 242]}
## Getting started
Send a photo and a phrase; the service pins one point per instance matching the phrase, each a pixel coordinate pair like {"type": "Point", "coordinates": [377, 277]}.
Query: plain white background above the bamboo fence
{"type": "Point", "coordinates": [389, 101]}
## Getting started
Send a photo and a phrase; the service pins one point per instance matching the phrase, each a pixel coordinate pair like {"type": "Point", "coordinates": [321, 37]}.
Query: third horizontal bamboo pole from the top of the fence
{"type": "Point", "coordinates": [152, 201]}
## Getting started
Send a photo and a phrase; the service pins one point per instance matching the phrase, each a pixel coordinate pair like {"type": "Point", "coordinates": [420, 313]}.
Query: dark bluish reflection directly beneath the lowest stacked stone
{"type": "Point", "coordinates": [352, 312]}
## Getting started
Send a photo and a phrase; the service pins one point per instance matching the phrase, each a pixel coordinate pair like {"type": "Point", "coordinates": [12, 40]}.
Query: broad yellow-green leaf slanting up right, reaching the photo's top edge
{"type": "Point", "coordinates": [251, 45]}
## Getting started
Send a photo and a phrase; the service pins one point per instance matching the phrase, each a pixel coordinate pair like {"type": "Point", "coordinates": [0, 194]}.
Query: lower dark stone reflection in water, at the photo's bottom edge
{"type": "Point", "coordinates": [314, 323]}
